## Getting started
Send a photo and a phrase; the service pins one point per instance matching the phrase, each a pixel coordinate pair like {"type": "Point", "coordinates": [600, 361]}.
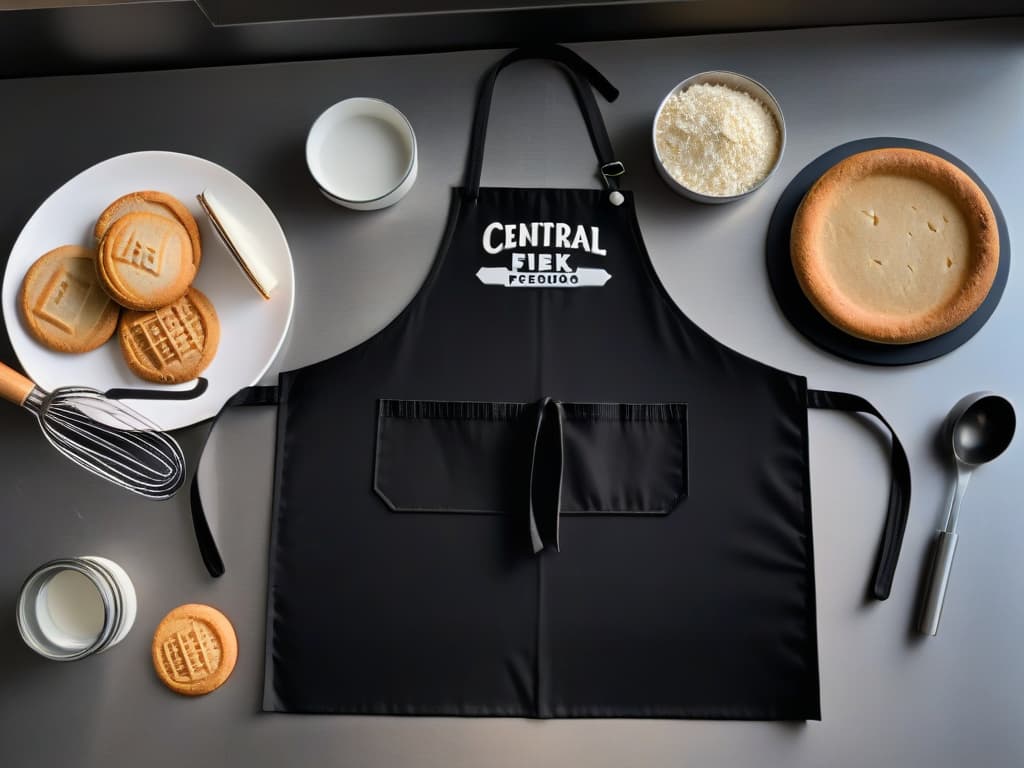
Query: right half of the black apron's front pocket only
{"type": "Point", "coordinates": [624, 459]}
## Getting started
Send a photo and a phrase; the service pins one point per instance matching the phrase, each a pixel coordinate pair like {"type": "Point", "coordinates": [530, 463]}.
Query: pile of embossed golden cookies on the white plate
{"type": "Point", "coordinates": [149, 252]}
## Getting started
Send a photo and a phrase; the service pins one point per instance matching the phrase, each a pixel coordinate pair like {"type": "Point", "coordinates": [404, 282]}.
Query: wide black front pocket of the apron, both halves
{"type": "Point", "coordinates": [435, 456]}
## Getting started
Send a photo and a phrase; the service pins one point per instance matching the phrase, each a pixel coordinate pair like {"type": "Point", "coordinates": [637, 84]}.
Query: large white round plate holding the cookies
{"type": "Point", "coordinates": [252, 329]}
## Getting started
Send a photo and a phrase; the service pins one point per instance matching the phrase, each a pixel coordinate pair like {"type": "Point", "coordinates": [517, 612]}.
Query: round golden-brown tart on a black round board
{"type": "Point", "coordinates": [895, 246]}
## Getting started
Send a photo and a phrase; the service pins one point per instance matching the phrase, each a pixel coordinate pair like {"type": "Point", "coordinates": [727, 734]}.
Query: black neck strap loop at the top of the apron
{"type": "Point", "coordinates": [582, 77]}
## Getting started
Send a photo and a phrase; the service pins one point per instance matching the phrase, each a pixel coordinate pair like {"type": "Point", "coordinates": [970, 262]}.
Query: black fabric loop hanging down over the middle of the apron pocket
{"type": "Point", "coordinates": [546, 476]}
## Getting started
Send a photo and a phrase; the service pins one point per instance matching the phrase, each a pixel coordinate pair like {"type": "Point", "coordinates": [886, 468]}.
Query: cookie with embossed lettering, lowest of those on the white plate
{"type": "Point", "coordinates": [172, 345]}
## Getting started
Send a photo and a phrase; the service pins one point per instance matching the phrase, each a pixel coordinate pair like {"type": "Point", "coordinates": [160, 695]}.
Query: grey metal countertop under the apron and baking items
{"type": "Point", "coordinates": [890, 698]}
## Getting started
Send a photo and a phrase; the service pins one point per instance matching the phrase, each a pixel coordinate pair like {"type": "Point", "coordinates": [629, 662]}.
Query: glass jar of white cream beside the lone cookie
{"type": "Point", "coordinates": [74, 608]}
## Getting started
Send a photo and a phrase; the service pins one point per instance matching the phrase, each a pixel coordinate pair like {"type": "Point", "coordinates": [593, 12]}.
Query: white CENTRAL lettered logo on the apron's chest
{"type": "Point", "coordinates": [536, 269]}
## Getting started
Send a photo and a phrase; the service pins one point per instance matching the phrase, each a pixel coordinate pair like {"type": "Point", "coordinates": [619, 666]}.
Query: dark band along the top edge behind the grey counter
{"type": "Point", "coordinates": [162, 34]}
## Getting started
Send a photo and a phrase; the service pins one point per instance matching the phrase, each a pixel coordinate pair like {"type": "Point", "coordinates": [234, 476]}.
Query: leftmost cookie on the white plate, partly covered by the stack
{"type": "Point", "coordinates": [63, 305]}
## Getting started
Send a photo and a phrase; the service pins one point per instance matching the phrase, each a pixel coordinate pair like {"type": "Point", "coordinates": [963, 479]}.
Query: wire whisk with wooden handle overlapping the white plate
{"type": "Point", "coordinates": [103, 436]}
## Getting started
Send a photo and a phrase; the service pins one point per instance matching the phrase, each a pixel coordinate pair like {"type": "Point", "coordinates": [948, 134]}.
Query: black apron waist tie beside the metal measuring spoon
{"type": "Point", "coordinates": [900, 488]}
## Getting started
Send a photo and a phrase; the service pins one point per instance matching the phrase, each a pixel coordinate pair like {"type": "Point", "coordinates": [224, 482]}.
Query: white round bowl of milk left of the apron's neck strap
{"type": "Point", "coordinates": [362, 154]}
